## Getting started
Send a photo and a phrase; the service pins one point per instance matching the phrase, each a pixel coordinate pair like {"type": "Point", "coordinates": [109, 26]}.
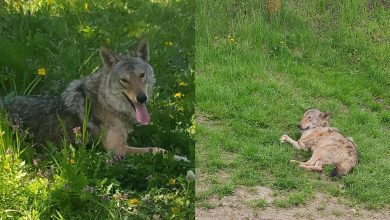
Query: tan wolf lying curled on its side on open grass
{"type": "Point", "coordinates": [329, 146]}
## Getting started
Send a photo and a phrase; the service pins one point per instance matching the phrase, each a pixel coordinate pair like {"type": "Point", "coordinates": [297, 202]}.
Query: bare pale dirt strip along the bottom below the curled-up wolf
{"type": "Point", "coordinates": [237, 206]}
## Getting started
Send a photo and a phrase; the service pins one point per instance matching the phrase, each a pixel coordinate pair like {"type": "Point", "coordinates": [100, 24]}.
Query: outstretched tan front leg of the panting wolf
{"type": "Point", "coordinates": [115, 140]}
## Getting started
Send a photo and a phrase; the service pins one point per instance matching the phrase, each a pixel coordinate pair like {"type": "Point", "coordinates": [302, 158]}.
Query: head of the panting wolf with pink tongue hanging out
{"type": "Point", "coordinates": [130, 80]}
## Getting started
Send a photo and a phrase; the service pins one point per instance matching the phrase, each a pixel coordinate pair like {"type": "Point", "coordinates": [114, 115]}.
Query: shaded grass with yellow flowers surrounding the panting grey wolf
{"type": "Point", "coordinates": [83, 182]}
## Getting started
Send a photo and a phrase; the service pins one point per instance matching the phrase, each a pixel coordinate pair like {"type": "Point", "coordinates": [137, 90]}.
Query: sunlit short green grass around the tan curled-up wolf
{"type": "Point", "coordinates": [257, 73]}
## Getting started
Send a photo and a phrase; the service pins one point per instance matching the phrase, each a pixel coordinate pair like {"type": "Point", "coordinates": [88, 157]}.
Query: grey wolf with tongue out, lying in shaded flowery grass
{"type": "Point", "coordinates": [117, 95]}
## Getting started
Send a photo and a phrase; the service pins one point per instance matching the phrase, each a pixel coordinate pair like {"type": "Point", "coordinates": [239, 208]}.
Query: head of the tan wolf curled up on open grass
{"type": "Point", "coordinates": [314, 118]}
